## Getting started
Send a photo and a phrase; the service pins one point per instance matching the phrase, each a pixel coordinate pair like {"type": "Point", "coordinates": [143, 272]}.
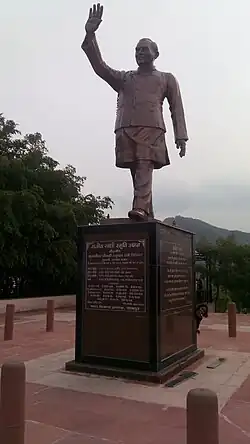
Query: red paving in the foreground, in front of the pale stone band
{"type": "Point", "coordinates": [88, 418]}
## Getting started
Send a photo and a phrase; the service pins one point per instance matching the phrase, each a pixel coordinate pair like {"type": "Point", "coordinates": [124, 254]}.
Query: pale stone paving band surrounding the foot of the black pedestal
{"type": "Point", "coordinates": [224, 380]}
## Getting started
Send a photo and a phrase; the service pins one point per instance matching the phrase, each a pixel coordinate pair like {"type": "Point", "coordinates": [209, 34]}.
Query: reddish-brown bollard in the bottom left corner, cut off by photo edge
{"type": "Point", "coordinates": [12, 403]}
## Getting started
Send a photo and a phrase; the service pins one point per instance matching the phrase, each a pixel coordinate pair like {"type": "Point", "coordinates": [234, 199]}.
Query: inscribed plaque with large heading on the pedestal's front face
{"type": "Point", "coordinates": [115, 275]}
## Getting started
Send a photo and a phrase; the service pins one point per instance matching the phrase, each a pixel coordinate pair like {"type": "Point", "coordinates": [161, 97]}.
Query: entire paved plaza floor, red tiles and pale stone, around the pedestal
{"type": "Point", "coordinates": [76, 409]}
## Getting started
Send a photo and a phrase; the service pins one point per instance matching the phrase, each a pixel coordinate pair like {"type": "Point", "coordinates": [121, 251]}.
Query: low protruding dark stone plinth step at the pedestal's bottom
{"type": "Point", "coordinates": [136, 375]}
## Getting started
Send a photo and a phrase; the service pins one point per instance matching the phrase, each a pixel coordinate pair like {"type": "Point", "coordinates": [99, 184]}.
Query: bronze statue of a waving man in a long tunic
{"type": "Point", "coordinates": [139, 128]}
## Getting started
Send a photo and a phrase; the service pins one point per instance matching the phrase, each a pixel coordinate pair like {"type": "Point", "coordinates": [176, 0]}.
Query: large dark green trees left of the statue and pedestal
{"type": "Point", "coordinates": [41, 205]}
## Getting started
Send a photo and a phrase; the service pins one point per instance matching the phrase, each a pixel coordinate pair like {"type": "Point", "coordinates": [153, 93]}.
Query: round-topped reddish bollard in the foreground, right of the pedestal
{"type": "Point", "coordinates": [202, 417]}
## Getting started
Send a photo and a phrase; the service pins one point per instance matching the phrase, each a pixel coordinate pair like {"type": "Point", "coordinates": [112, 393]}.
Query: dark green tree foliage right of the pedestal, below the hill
{"type": "Point", "coordinates": [228, 268]}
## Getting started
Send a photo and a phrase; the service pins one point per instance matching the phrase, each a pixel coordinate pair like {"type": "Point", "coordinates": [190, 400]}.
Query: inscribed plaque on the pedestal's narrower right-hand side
{"type": "Point", "coordinates": [176, 269]}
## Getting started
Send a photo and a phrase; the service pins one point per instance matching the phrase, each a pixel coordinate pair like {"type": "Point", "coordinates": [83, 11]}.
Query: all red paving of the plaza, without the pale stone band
{"type": "Point", "coordinates": [56, 415]}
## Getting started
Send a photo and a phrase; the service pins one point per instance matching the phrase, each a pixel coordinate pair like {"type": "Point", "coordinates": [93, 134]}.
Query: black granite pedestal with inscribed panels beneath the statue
{"type": "Point", "coordinates": [135, 302]}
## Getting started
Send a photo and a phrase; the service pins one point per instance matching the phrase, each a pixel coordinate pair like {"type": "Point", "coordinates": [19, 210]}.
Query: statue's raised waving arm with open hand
{"type": "Point", "coordinates": [90, 46]}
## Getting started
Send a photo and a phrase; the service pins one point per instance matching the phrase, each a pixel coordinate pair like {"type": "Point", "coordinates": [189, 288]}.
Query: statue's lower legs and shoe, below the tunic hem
{"type": "Point", "coordinates": [142, 174]}
